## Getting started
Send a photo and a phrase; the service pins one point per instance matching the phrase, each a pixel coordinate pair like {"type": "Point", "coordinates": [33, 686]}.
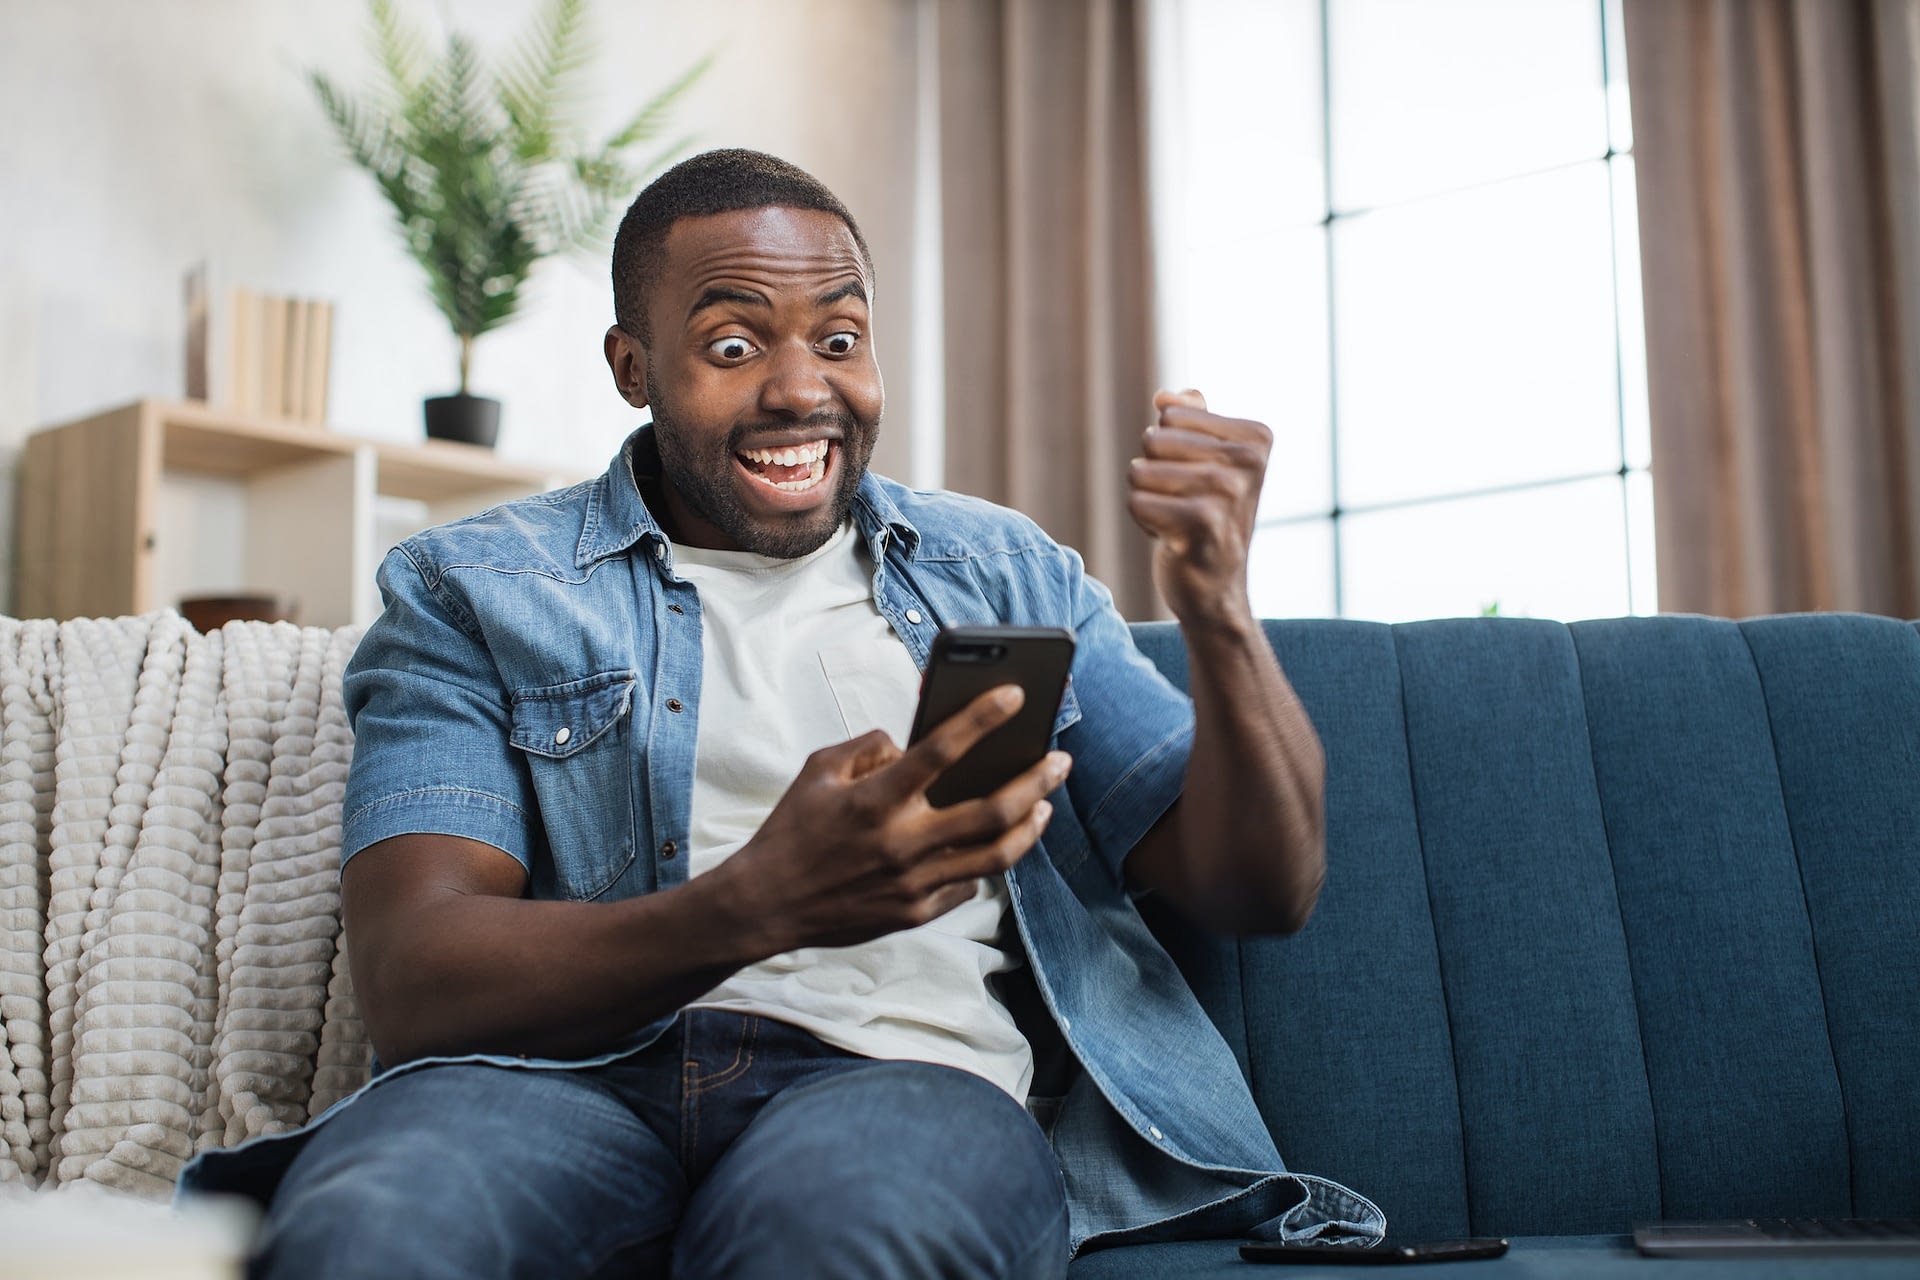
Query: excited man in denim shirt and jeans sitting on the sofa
{"type": "Point", "coordinates": [669, 960]}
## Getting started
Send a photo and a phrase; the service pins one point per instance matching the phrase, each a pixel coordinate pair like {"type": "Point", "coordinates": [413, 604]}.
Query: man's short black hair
{"type": "Point", "coordinates": [698, 187]}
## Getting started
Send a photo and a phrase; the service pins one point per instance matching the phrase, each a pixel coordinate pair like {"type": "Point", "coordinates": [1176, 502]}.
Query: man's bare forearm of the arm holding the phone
{"type": "Point", "coordinates": [487, 974]}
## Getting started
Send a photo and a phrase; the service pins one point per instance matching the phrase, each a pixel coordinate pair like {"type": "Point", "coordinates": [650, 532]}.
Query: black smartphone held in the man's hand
{"type": "Point", "coordinates": [971, 661]}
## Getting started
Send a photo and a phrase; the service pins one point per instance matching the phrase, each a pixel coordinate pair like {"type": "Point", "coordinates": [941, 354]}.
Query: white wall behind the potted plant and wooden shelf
{"type": "Point", "coordinates": [139, 137]}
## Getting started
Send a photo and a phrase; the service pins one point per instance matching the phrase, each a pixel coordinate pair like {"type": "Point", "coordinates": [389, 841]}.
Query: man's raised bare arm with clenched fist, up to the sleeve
{"type": "Point", "coordinates": [1243, 849]}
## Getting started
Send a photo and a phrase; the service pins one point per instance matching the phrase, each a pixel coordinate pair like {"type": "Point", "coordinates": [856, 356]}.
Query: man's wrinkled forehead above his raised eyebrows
{"type": "Point", "coordinates": [769, 249]}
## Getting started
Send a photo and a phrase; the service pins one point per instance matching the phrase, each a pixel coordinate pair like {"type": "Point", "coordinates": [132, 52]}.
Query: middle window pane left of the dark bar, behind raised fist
{"type": "Point", "coordinates": [1257, 346]}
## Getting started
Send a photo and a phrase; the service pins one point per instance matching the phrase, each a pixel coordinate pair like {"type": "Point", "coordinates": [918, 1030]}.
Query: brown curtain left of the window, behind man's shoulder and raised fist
{"type": "Point", "coordinates": [1047, 270]}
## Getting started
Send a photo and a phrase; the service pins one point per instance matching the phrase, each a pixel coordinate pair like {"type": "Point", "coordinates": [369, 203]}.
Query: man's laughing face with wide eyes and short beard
{"type": "Point", "coordinates": [756, 463]}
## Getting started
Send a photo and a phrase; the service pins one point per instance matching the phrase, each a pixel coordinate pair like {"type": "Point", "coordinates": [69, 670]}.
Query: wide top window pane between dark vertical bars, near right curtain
{"type": "Point", "coordinates": [1435, 97]}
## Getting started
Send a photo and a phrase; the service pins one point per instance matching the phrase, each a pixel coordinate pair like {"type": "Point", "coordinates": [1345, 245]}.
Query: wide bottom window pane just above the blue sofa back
{"type": "Point", "coordinates": [1558, 552]}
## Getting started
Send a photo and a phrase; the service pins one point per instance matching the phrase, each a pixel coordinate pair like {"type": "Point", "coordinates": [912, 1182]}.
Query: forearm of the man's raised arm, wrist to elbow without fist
{"type": "Point", "coordinates": [1253, 815]}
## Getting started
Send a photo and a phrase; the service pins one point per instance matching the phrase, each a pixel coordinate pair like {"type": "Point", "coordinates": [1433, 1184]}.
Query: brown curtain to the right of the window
{"type": "Point", "coordinates": [1775, 153]}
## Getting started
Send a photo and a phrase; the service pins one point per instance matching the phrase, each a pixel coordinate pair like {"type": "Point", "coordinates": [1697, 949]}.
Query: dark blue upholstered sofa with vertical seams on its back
{"type": "Point", "coordinates": [1621, 924]}
